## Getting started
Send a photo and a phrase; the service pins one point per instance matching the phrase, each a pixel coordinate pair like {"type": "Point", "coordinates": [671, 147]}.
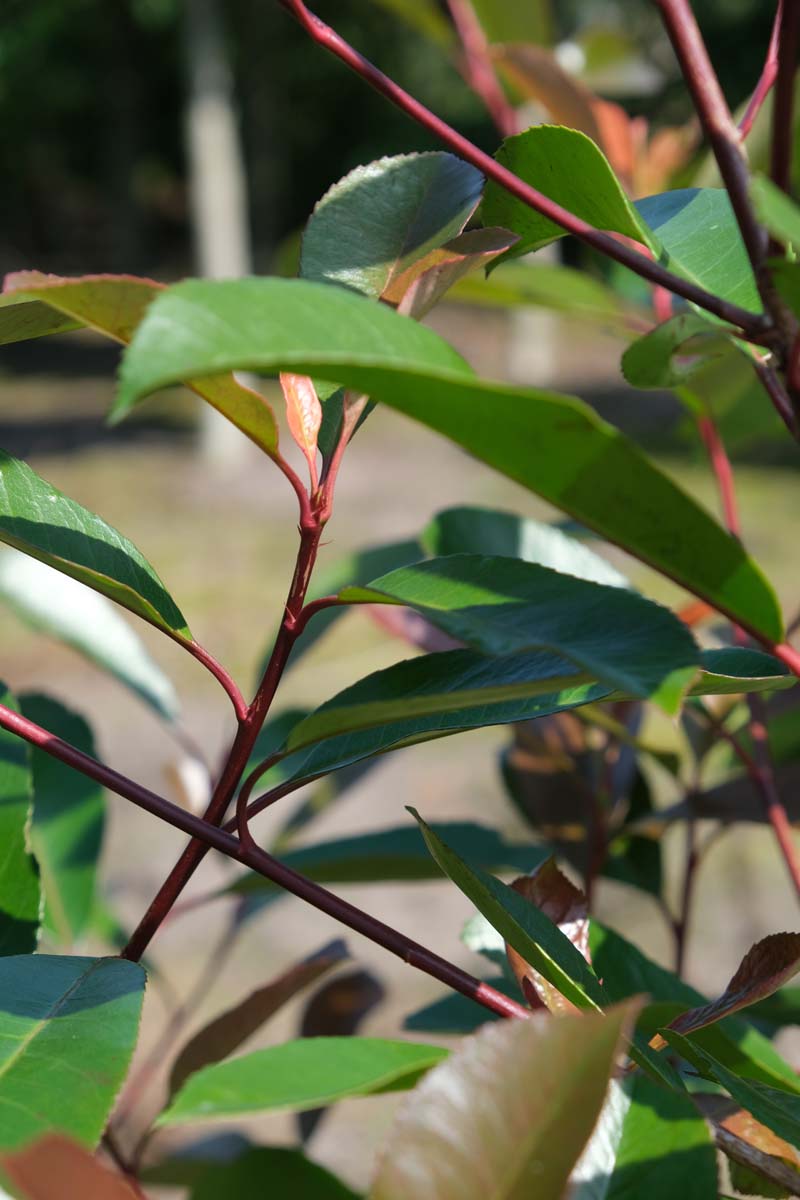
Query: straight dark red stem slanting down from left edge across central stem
{"type": "Point", "coordinates": [264, 865]}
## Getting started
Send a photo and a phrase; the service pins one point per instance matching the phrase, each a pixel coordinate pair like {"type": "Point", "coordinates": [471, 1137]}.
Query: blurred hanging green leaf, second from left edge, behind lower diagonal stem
{"type": "Point", "coordinates": [69, 820]}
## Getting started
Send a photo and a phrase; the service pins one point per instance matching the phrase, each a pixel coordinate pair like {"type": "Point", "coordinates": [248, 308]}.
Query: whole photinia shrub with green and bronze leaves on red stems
{"type": "Point", "coordinates": [586, 1070]}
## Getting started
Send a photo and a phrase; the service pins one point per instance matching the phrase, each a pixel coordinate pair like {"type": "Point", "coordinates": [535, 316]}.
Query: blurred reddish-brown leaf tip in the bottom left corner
{"type": "Point", "coordinates": [57, 1169]}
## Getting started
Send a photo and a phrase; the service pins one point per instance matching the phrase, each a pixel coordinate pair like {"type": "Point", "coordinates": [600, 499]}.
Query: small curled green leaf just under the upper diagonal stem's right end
{"type": "Point", "coordinates": [651, 362]}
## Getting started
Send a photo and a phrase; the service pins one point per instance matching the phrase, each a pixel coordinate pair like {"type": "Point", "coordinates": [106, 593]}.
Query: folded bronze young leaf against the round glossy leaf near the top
{"type": "Point", "coordinates": [423, 285]}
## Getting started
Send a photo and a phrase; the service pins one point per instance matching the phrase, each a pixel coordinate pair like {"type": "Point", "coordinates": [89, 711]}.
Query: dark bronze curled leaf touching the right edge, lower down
{"type": "Point", "coordinates": [767, 967]}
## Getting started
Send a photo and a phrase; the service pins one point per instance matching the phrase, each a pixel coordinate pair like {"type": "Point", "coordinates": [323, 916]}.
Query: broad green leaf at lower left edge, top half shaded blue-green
{"type": "Point", "coordinates": [68, 1033]}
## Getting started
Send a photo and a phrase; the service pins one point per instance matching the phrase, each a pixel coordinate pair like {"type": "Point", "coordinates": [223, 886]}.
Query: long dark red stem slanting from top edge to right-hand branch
{"type": "Point", "coordinates": [754, 325]}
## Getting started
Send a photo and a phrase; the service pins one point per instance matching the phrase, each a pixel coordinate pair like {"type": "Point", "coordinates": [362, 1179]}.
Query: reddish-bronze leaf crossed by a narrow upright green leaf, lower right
{"type": "Point", "coordinates": [550, 890]}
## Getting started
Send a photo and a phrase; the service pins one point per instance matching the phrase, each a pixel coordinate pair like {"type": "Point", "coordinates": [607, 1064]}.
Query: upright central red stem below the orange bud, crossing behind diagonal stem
{"type": "Point", "coordinates": [243, 747]}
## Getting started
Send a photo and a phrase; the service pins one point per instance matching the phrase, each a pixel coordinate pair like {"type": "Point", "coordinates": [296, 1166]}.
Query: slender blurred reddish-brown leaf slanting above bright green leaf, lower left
{"type": "Point", "coordinates": [228, 1031]}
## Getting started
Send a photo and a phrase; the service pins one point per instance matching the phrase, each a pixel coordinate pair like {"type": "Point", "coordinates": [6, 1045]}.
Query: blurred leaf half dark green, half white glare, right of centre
{"type": "Point", "coordinates": [473, 531]}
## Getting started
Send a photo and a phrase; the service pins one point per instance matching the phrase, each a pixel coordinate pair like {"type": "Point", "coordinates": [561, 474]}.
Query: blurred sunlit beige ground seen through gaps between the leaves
{"type": "Point", "coordinates": [225, 545]}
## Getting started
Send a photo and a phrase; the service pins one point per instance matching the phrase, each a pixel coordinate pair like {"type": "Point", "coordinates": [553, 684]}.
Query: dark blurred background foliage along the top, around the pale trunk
{"type": "Point", "coordinates": [93, 94]}
